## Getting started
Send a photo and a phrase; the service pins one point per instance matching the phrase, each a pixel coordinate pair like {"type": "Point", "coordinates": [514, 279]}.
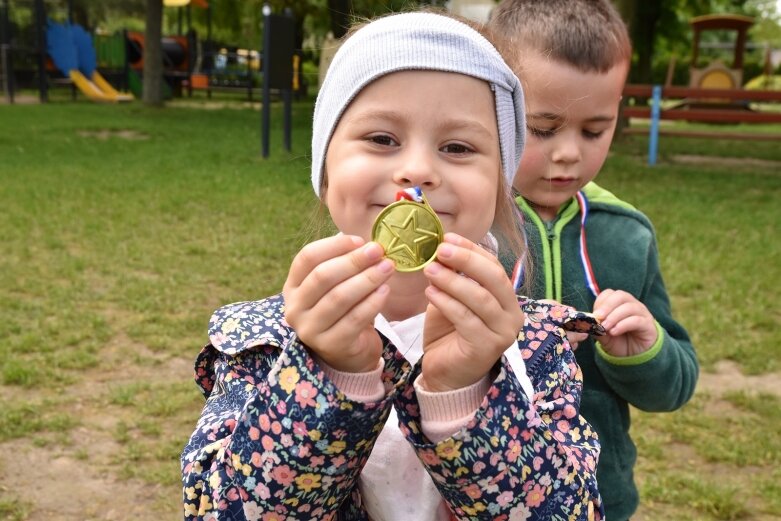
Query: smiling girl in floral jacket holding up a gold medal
{"type": "Point", "coordinates": [365, 391]}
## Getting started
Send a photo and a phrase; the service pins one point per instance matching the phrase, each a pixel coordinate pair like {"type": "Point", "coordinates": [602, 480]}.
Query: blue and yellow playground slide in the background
{"type": "Point", "coordinates": [70, 48]}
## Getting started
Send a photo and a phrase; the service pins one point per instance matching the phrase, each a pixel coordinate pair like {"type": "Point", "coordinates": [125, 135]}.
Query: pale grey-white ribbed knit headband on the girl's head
{"type": "Point", "coordinates": [417, 41]}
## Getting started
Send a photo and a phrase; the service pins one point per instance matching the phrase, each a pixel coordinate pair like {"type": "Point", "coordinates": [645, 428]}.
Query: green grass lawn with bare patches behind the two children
{"type": "Point", "coordinates": [123, 228]}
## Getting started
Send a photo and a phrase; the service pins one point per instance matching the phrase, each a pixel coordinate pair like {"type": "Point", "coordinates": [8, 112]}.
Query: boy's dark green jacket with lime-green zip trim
{"type": "Point", "coordinates": [622, 247]}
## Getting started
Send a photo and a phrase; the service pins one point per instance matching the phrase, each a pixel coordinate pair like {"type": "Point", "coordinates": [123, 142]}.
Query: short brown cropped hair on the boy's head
{"type": "Point", "coordinates": [587, 34]}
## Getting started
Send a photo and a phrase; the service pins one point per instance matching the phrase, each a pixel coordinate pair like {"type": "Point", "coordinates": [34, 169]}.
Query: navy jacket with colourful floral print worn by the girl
{"type": "Point", "coordinates": [278, 441]}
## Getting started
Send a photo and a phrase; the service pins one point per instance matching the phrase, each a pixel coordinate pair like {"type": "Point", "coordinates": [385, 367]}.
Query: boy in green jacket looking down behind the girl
{"type": "Point", "coordinates": [574, 56]}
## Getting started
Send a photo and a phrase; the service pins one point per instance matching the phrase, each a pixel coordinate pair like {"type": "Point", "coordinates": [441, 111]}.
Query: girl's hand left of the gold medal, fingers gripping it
{"type": "Point", "coordinates": [334, 289]}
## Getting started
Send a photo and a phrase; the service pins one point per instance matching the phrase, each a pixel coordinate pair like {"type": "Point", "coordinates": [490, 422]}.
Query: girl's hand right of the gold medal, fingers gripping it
{"type": "Point", "coordinates": [472, 316]}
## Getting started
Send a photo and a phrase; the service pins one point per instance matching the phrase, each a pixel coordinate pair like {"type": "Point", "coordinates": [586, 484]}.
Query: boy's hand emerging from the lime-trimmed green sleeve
{"type": "Point", "coordinates": [631, 329]}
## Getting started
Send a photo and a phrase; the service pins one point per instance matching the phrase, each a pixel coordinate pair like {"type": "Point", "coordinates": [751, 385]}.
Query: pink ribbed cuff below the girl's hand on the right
{"type": "Point", "coordinates": [443, 414]}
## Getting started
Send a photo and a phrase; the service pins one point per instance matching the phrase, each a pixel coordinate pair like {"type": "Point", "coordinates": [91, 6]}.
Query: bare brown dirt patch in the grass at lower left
{"type": "Point", "coordinates": [73, 476]}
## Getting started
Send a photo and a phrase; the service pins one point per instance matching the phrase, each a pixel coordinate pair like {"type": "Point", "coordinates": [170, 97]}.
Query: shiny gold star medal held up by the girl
{"type": "Point", "coordinates": [410, 233]}
